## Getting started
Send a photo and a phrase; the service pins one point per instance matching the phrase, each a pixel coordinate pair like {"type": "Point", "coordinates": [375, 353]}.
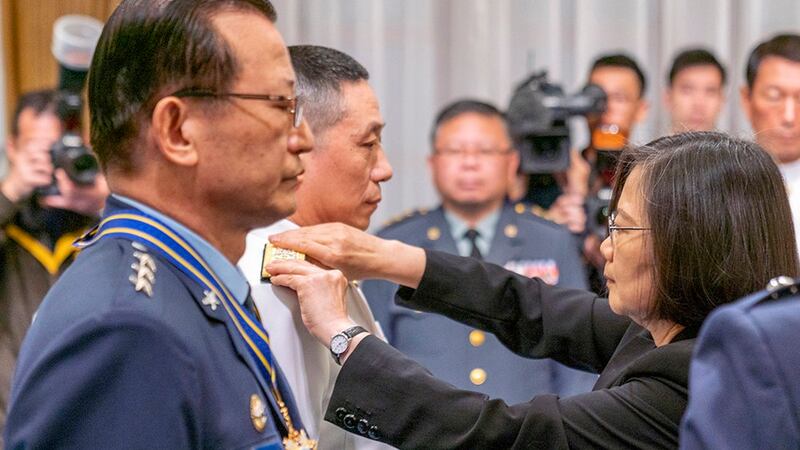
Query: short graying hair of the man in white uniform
{"type": "Point", "coordinates": [320, 73]}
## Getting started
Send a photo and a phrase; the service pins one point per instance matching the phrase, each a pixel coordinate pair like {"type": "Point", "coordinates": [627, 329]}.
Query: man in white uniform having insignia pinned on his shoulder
{"type": "Point", "coordinates": [341, 184]}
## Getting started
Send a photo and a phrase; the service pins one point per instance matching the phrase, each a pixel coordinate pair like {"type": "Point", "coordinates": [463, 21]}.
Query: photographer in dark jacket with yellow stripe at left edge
{"type": "Point", "coordinates": [36, 231]}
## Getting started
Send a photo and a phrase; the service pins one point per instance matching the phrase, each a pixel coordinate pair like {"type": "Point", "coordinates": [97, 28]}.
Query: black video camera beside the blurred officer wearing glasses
{"type": "Point", "coordinates": [537, 120]}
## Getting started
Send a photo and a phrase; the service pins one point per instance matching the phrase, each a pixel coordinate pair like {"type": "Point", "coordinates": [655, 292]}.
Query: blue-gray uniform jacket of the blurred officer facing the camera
{"type": "Point", "coordinates": [461, 355]}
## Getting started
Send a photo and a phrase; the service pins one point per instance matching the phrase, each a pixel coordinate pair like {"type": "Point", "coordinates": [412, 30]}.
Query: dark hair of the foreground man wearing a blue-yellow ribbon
{"type": "Point", "coordinates": [149, 48]}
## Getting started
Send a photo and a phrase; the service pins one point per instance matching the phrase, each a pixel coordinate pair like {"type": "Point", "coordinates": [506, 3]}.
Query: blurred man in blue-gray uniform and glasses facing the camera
{"type": "Point", "coordinates": [472, 164]}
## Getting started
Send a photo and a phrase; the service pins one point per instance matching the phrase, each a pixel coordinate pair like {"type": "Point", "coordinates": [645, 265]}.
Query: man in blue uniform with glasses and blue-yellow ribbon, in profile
{"type": "Point", "coordinates": [149, 339]}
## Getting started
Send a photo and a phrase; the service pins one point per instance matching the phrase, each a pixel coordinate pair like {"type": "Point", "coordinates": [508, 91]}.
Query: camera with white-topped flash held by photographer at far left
{"type": "Point", "coordinates": [74, 40]}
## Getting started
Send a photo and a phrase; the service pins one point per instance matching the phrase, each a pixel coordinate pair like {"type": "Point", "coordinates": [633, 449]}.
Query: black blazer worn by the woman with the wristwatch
{"type": "Point", "coordinates": [637, 402]}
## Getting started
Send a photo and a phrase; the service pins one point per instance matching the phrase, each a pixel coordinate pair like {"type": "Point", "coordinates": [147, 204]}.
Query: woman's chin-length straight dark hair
{"type": "Point", "coordinates": [720, 221]}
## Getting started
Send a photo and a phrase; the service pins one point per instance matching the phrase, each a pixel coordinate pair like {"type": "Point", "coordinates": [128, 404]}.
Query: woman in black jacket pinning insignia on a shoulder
{"type": "Point", "coordinates": [699, 219]}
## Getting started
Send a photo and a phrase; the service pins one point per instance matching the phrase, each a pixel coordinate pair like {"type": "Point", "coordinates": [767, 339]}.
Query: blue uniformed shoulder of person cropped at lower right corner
{"type": "Point", "coordinates": [743, 389]}
